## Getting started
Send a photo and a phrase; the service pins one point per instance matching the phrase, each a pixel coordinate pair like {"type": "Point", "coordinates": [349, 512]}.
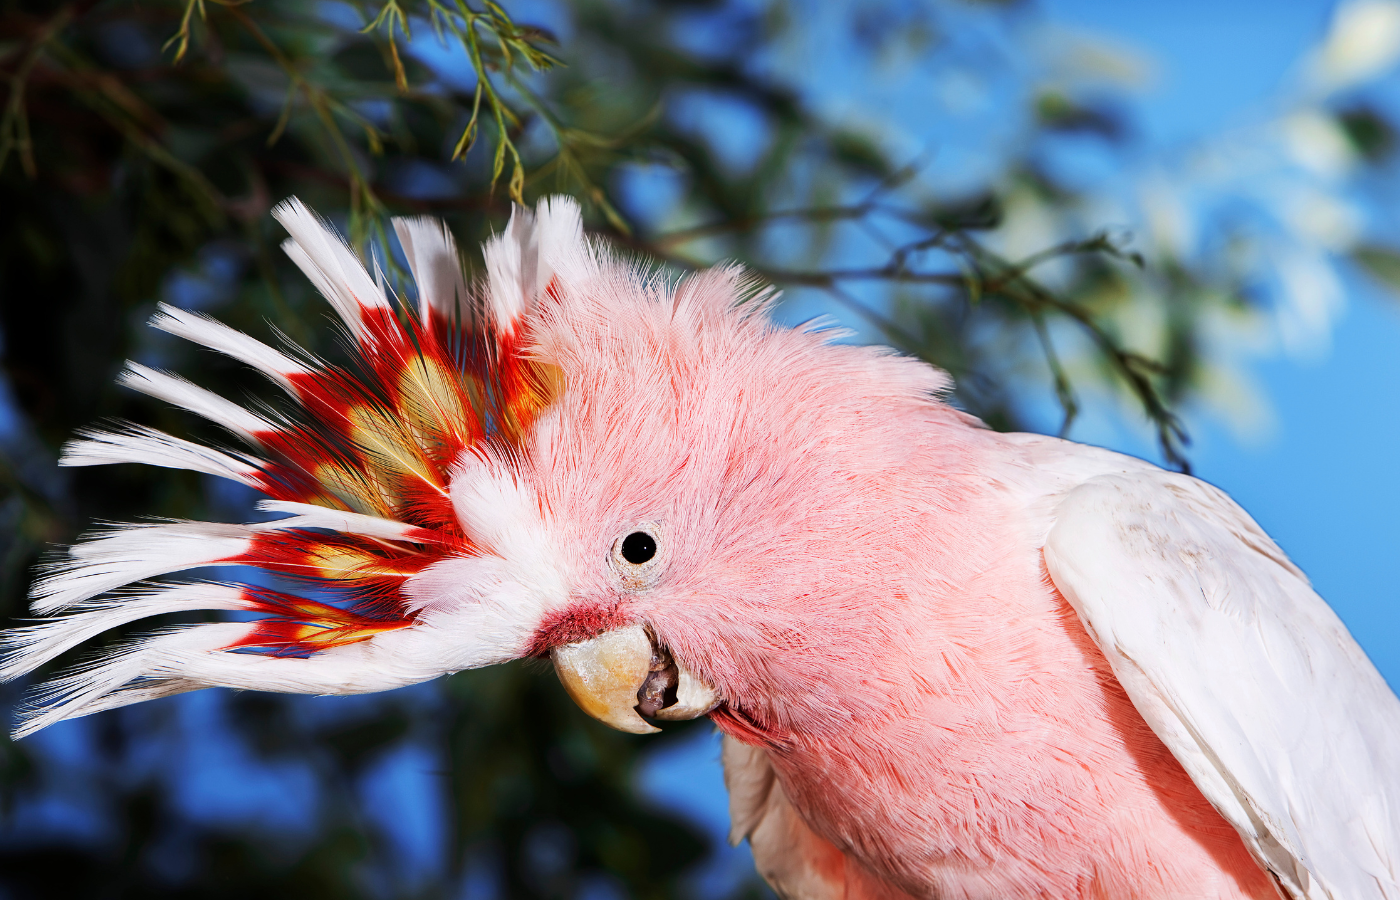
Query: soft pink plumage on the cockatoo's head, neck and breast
{"type": "Point", "coordinates": [855, 569]}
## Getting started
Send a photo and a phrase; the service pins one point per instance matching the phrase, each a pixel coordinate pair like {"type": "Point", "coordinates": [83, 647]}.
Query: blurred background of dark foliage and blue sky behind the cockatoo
{"type": "Point", "coordinates": [1165, 229]}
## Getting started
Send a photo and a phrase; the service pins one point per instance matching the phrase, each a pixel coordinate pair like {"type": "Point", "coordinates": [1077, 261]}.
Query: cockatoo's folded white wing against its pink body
{"type": "Point", "coordinates": [1244, 673]}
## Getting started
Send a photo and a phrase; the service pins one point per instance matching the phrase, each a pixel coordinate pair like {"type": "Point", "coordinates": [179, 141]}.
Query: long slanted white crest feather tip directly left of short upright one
{"type": "Point", "coordinates": [331, 265]}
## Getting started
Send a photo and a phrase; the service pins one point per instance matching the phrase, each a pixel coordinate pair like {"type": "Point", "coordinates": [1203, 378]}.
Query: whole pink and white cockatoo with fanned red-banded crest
{"type": "Point", "coordinates": [947, 663]}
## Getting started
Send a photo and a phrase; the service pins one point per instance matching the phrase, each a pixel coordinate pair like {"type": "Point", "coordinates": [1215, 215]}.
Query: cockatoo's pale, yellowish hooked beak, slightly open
{"type": "Point", "coordinates": [621, 677]}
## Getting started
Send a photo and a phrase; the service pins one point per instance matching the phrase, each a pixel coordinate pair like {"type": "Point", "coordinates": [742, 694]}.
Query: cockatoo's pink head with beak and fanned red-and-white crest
{"type": "Point", "coordinates": [687, 507]}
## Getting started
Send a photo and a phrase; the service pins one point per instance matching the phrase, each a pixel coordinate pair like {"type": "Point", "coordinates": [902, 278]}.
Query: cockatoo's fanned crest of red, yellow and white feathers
{"type": "Point", "coordinates": [363, 461]}
